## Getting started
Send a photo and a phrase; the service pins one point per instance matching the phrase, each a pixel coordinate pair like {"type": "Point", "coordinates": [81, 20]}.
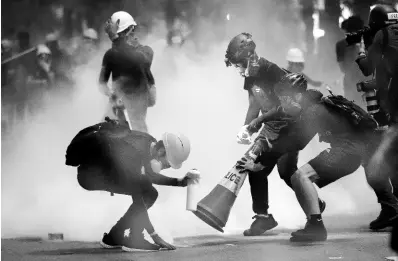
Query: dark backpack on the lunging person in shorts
{"type": "Point", "coordinates": [356, 115]}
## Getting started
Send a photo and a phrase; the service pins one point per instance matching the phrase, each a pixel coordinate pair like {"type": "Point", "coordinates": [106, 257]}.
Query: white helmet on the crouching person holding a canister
{"type": "Point", "coordinates": [177, 148]}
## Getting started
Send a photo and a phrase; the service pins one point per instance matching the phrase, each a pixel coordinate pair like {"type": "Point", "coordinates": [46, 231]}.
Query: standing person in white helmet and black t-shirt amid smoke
{"type": "Point", "coordinates": [129, 62]}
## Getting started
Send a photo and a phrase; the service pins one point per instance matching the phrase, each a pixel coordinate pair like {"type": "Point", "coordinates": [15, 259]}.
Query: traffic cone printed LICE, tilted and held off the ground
{"type": "Point", "coordinates": [214, 209]}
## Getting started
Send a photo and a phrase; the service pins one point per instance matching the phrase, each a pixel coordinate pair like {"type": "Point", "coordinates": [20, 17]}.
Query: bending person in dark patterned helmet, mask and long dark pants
{"type": "Point", "coordinates": [260, 77]}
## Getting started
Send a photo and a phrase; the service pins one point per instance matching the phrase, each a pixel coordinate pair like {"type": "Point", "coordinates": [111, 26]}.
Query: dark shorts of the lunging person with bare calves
{"type": "Point", "coordinates": [343, 158]}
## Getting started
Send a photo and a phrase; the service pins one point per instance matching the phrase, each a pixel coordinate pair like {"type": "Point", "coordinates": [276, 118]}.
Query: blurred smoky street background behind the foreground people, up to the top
{"type": "Point", "coordinates": [197, 95]}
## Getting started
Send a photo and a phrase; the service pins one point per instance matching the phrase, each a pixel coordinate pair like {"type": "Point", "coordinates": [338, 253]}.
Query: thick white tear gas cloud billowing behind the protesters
{"type": "Point", "coordinates": [198, 96]}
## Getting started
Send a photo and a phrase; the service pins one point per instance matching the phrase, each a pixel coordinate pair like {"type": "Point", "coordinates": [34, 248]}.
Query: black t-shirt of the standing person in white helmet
{"type": "Point", "coordinates": [128, 60]}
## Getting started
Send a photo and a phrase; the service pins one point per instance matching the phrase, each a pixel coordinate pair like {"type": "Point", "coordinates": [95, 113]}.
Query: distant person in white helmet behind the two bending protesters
{"type": "Point", "coordinates": [296, 64]}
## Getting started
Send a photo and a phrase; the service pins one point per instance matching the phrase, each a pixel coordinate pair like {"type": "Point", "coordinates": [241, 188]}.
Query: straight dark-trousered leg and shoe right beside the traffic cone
{"type": "Point", "coordinates": [259, 191]}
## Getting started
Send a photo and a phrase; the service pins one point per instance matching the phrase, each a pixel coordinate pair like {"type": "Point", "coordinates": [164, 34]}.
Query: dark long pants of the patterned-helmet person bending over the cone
{"type": "Point", "coordinates": [287, 165]}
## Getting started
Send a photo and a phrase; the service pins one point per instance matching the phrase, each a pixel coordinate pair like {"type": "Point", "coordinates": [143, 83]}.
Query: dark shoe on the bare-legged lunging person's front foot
{"type": "Point", "coordinates": [312, 232]}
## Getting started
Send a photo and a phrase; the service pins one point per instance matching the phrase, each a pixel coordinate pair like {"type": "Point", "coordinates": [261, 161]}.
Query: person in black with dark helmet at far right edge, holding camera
{"type": "Point", "coordinates": [382, 56]}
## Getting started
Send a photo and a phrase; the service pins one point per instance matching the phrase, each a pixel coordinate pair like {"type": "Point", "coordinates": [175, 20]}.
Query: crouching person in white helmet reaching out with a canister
{"type": "Point", "coordinates": [110, 157]}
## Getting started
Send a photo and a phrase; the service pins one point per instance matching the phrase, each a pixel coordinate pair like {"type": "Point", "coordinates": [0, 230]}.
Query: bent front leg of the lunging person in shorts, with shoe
{"type": "Point", "coordinates": [326, 168]}
